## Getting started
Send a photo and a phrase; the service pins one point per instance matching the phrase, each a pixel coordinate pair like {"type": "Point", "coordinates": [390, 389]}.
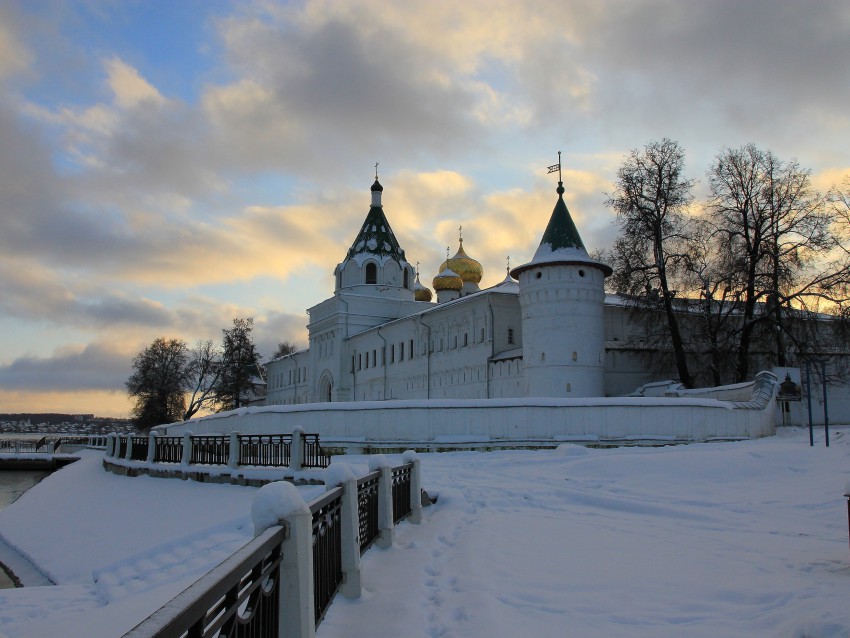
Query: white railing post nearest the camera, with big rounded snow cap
{"type": "Point", "coordinates": [278, 503]}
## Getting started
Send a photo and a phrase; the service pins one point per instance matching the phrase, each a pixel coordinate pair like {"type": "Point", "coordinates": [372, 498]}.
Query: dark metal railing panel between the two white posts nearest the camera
{"type": "Point", "coordinates": [327, 550]}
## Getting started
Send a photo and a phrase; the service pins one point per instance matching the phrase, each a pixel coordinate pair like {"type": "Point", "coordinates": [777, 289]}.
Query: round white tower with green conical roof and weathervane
{"type": "Point", "coordinates": [562, 296]}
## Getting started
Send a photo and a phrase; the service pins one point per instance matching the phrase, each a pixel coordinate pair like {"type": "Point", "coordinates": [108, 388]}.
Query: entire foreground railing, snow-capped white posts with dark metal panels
{"type": "Point", "coordinates": [282, 582]}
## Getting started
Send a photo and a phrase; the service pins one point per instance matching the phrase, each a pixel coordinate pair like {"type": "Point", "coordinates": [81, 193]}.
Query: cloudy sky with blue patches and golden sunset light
{"type": "Point", "coordinates": [168, 166]}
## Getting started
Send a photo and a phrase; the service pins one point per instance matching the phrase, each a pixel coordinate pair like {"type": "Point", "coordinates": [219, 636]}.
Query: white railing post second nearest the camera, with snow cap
{"type": "Point", "coordinates": [342, 474]}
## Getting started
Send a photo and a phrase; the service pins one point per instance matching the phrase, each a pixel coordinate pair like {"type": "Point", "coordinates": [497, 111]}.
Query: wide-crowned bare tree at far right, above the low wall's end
{"type": "Point", "coordinates": [775, 237]}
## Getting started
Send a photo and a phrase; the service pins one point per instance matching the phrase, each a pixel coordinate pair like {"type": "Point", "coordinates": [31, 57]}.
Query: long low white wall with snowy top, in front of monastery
{"type": "Point", "coordinates": [433, 421]}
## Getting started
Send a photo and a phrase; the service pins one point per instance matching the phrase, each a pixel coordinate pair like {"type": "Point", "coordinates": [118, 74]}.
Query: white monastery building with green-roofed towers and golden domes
{"type": "Point", "coordinates": [547, 330]}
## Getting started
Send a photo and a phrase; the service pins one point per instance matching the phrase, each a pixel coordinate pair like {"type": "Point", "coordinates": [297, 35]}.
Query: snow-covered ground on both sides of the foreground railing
{"type": "Point", "coordinates": [722, 539]}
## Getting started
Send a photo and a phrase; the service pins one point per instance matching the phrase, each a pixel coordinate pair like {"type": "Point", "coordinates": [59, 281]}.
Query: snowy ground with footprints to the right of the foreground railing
{"type": "Point", "coordinates": [703, 540]}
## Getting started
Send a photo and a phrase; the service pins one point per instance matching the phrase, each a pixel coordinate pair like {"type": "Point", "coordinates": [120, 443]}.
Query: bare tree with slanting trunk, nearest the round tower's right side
{"type": "Point", "coordinates": [650, 200]}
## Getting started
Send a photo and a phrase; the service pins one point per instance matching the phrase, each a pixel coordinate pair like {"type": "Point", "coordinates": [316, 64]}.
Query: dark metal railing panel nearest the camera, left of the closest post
{"type": "Point", "coordinates": [240, 597]}
